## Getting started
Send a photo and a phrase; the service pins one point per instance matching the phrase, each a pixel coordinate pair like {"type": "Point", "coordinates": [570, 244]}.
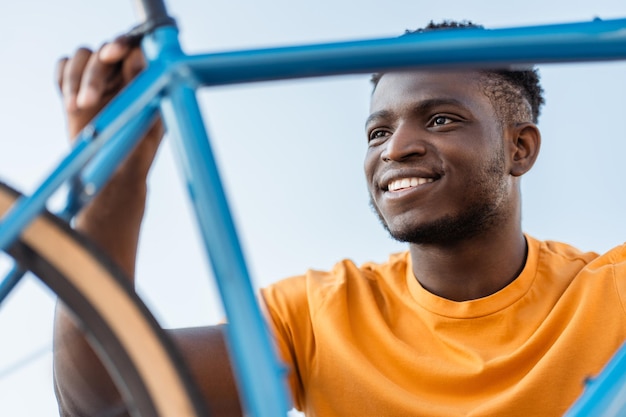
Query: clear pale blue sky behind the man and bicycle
{"type": "Point", "coordinates": [291, 152]}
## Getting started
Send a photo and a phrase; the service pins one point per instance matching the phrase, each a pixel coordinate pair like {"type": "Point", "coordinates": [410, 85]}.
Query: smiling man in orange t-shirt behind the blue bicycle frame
{"type": "Point", "coordinates": [475, 319]}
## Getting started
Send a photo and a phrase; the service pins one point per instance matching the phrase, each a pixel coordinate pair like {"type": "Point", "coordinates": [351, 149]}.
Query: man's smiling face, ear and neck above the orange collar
{"type": "Point", "coordinates": [441, 132]}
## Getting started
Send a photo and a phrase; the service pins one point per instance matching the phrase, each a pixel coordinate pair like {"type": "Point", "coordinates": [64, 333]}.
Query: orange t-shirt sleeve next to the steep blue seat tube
{"type": "Point", "coordinates": [287, 309]}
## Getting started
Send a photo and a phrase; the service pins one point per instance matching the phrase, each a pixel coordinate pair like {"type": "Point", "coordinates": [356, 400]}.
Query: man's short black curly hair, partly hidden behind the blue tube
{"type": "Point", "coordinates": [516, 94]}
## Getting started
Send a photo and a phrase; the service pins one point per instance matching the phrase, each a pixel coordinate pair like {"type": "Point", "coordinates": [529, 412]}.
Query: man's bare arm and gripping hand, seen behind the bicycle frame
{"type": "Point", "coordinates": [87, 81]}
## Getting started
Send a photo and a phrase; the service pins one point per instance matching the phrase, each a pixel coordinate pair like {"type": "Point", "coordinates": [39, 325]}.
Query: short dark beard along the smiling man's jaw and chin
{"type": "Point", "coordinates": [481, 214]}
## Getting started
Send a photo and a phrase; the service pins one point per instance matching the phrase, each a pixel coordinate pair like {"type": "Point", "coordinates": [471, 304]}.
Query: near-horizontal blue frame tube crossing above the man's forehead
{"type": "Point", "coordinates": [467, 48]}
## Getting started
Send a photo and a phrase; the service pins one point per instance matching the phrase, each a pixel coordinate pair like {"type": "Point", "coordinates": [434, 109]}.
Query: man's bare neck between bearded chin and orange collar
{"type": "Point", "coordinates": [472, 268]}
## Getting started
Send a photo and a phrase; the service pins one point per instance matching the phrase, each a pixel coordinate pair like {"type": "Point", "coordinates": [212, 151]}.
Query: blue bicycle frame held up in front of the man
{"type": "Point", "coordinates": [168, 85]}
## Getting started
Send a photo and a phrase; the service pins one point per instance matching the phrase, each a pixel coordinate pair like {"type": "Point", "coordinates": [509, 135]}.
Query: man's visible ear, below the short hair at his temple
{"type": "Point", "coordinates": [525, 141]}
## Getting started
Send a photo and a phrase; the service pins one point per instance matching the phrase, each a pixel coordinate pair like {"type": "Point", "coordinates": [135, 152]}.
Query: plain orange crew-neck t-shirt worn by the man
{"type": "Point", "coordinates": [370, 341]}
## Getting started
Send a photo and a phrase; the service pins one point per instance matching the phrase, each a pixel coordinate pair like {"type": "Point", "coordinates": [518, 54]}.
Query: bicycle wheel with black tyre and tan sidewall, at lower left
{"type": "Point", "coordinates": [142, 360]}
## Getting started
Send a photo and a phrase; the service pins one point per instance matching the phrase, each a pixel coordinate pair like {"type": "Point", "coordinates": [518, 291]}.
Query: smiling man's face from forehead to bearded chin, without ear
{"type": "Point", "coordinates": [435, 165]}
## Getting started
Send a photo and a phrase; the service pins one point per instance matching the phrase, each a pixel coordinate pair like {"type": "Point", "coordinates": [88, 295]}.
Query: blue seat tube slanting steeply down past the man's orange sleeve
{"type": "Point", "coordinates": [260, 376]}
